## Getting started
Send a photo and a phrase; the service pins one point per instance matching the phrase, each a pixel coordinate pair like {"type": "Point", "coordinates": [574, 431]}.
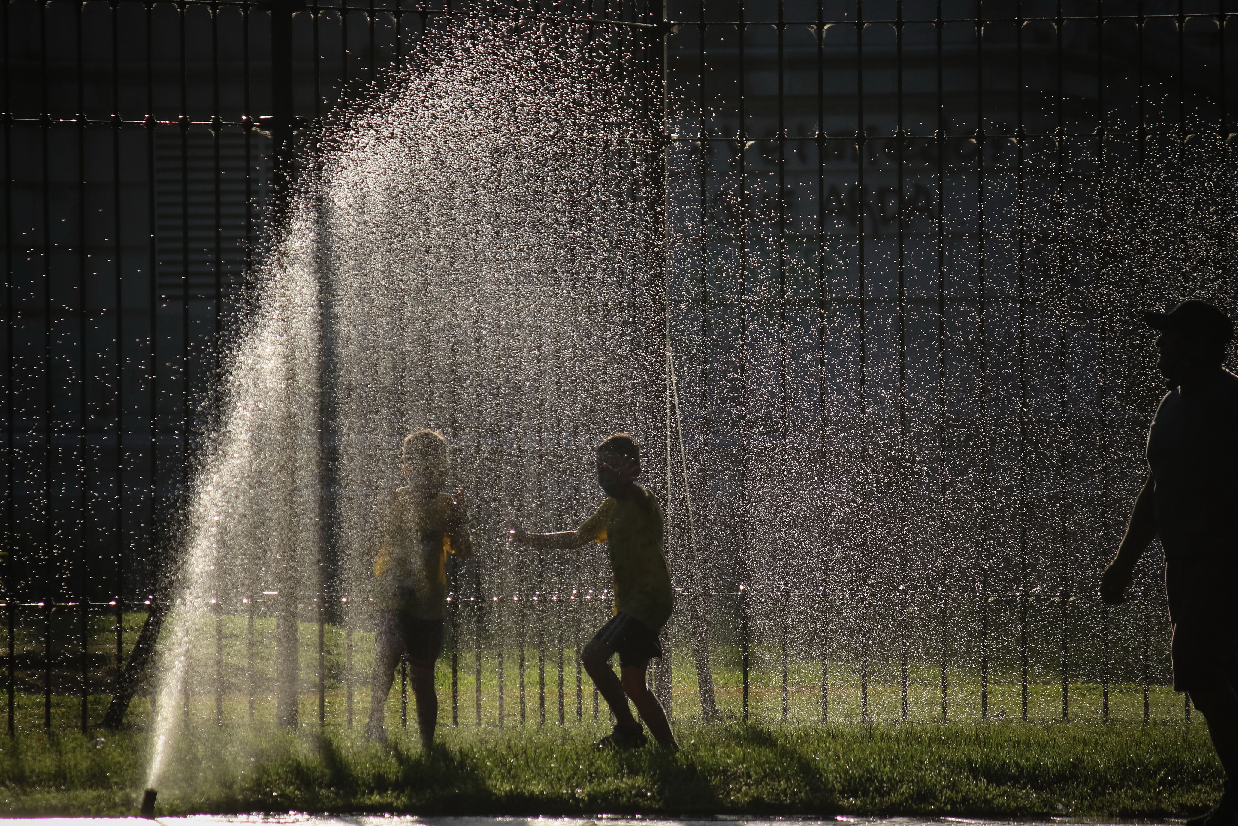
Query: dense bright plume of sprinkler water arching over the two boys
{"type": "Point", "coordinates": [469, 254]}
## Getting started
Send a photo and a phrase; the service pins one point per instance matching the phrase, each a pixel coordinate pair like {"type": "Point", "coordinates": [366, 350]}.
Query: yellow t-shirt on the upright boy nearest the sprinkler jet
{"type": "Point", "coordinates": [412, 565]}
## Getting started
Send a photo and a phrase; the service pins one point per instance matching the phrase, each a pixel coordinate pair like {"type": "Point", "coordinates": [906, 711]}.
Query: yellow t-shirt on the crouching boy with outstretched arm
{"type": "Point", "coordinates": [632, 529]}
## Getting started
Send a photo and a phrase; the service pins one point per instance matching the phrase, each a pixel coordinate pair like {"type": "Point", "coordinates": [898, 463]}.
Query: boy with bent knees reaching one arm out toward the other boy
{"type": "Point", "coordinates": [631, 523]}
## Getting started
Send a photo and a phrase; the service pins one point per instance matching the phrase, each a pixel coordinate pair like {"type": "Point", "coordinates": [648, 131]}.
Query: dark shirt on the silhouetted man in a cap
{"type": "Point", "coordinates": [1193, 450]}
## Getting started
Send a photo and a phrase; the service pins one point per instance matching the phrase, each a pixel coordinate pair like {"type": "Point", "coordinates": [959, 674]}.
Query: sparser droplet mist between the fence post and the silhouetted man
{"type": "Point", "coordinates": [918, 500]}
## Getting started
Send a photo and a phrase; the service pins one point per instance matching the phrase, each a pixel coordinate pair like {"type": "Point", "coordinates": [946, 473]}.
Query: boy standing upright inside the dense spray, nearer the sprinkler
{"type": "Point", "coordinates": [419, 526]}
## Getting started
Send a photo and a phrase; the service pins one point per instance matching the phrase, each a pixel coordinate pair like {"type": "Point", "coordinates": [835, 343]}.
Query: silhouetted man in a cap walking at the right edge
{"type": "Point", "coordinates": [1190, 500]}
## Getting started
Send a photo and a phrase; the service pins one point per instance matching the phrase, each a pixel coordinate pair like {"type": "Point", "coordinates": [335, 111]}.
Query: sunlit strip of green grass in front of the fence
{"type": "Point", "coordinates": [1002, 770]}
